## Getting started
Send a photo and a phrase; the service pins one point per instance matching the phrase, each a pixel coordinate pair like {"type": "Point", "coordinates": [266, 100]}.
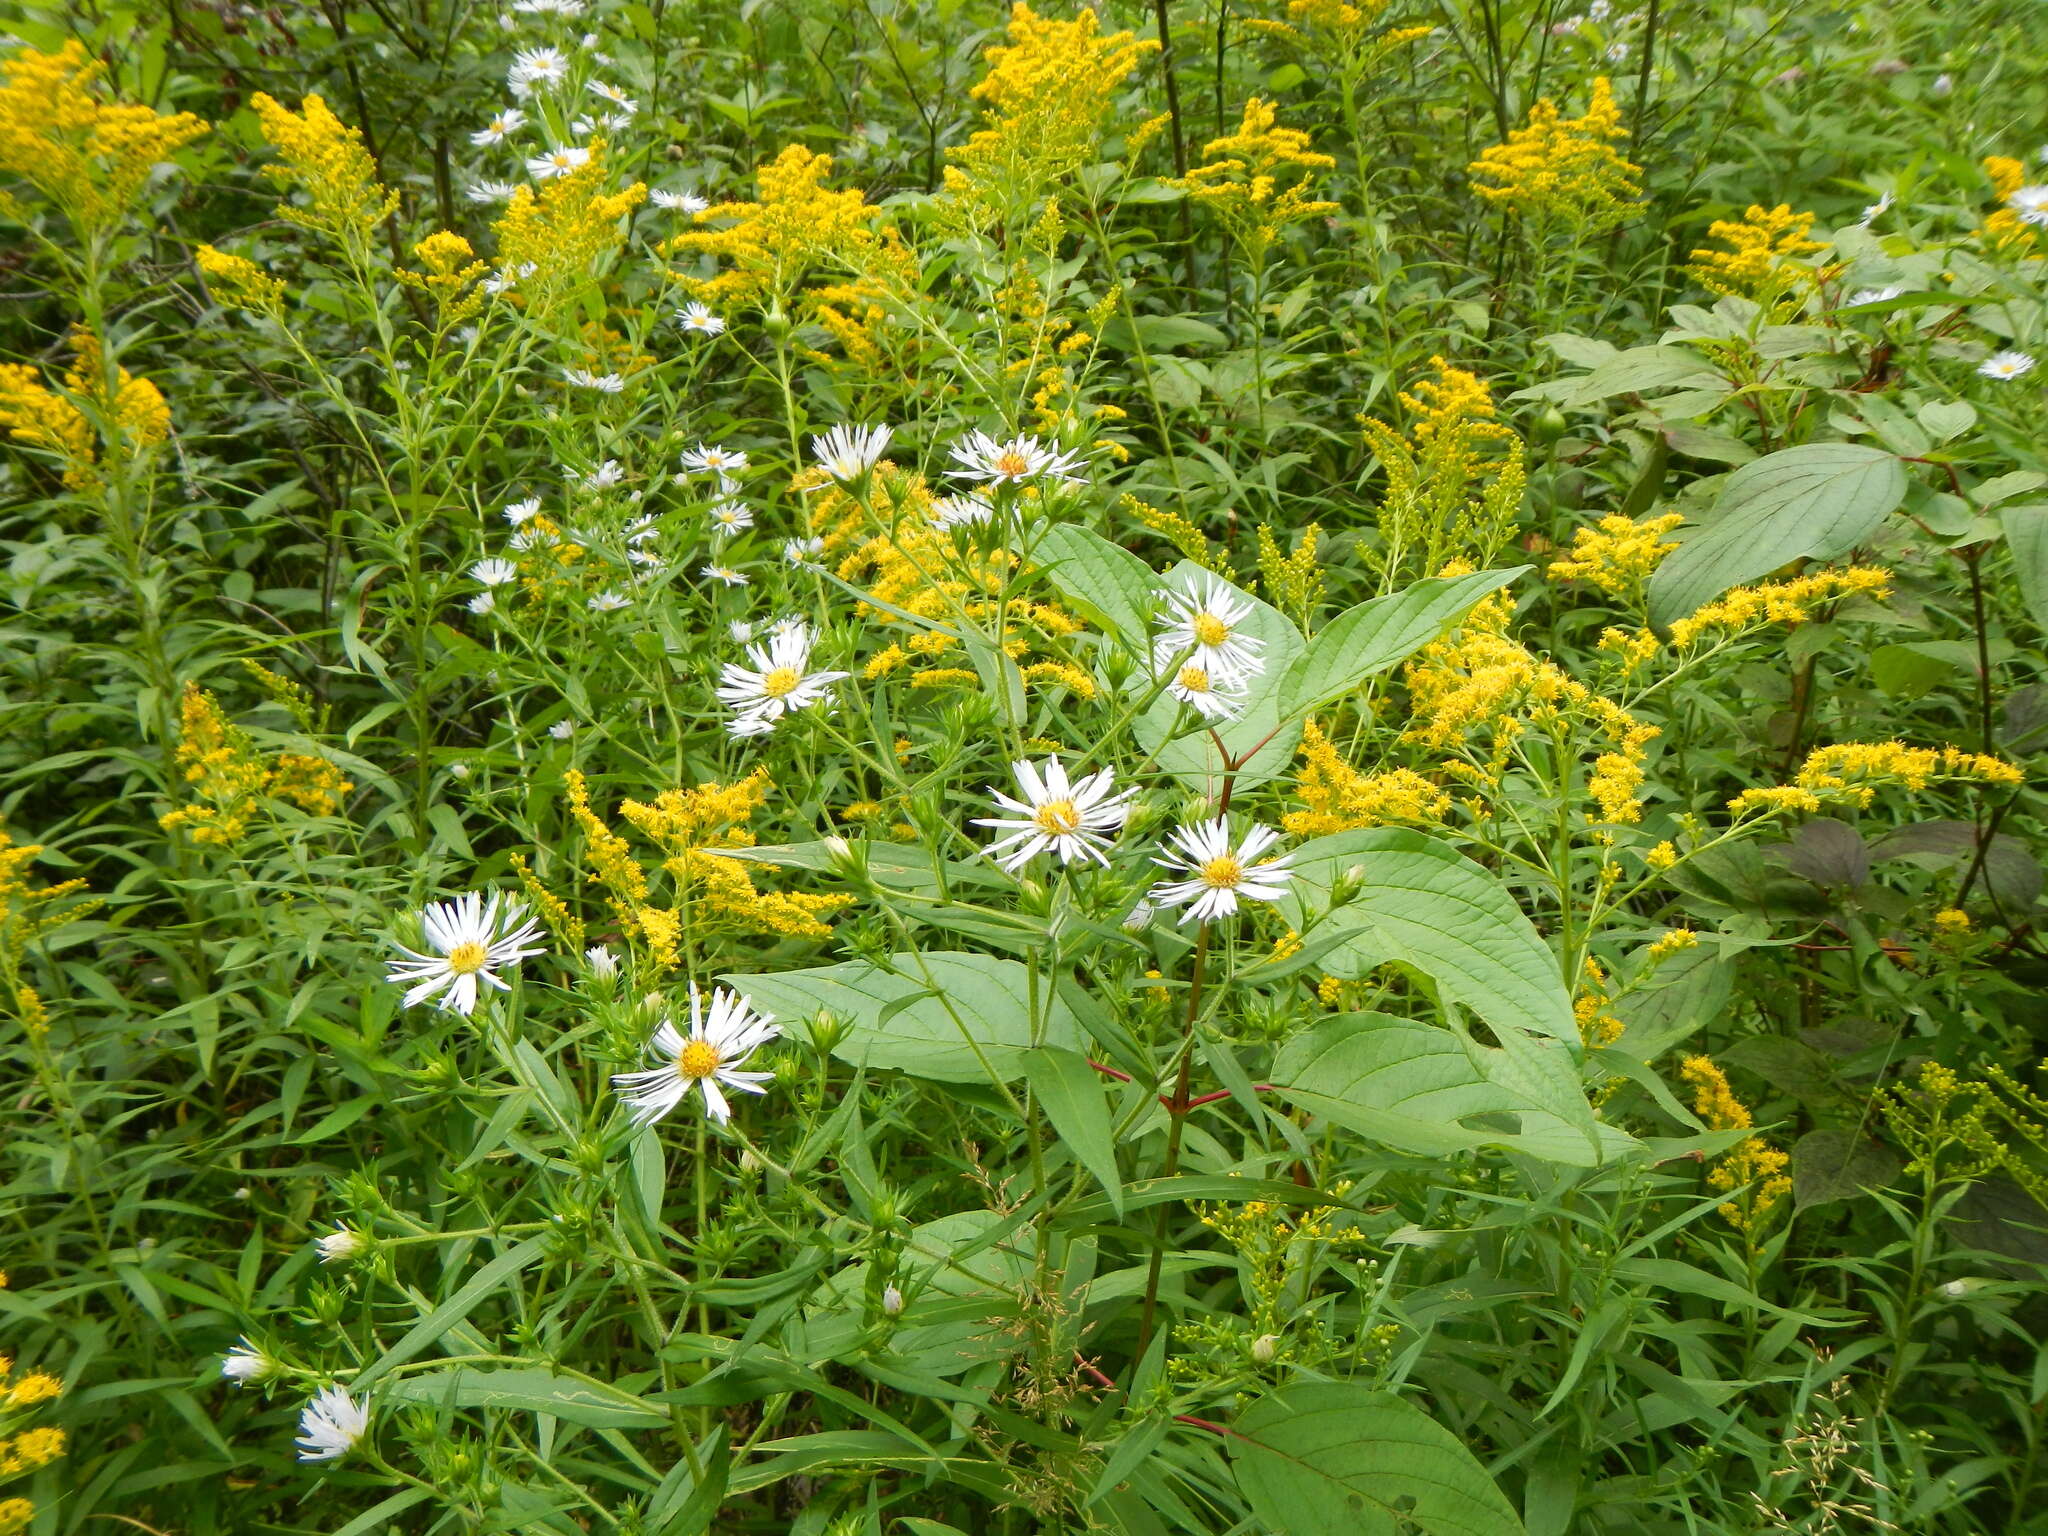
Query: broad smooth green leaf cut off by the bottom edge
{"type": "Point", "coordinates": [1338, 1459]}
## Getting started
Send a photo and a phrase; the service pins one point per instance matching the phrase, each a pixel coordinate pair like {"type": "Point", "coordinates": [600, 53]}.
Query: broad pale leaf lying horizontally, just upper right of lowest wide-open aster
{"type": "Point", "coordinates": [939, 1015]}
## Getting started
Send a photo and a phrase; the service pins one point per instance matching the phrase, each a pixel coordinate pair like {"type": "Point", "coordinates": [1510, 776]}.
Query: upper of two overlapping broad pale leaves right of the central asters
{"type": "Point", "coordinates": [1428, 906]}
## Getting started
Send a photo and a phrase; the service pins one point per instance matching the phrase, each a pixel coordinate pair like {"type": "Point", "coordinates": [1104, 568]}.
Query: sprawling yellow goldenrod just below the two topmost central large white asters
{"type": "Point", "coordinates": [892, 550]}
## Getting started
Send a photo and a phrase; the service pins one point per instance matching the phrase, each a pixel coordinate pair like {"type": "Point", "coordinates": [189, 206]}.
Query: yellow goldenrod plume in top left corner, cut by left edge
{"type": "Point", "coordinates": [87, 155]}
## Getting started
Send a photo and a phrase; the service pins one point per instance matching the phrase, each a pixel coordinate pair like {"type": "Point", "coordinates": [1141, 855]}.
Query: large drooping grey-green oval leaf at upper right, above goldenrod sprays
{"type": "Point", "coordinates": [1811, 503]}
